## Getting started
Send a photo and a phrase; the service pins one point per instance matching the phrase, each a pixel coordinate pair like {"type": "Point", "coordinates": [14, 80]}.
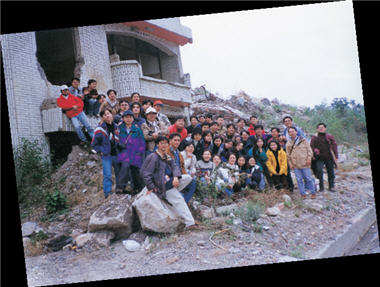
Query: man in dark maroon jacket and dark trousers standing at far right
{"type": "Point", "coordinates": [325, 153]}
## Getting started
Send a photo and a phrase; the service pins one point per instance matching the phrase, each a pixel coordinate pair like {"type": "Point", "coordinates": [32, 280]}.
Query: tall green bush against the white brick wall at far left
{"type": "Point", "coordinates": [31, 167]}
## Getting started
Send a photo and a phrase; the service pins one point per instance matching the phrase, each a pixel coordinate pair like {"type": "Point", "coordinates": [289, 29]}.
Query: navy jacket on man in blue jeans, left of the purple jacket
{"type": "Point", "coordinates": [101, 142]}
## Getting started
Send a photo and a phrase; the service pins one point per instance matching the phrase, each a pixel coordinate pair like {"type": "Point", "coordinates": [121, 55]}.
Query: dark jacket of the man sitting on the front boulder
{"type": "Point", "coordinates": [153, 172]}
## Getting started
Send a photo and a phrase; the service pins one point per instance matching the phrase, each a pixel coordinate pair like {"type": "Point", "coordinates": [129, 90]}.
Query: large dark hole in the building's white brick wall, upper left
{"type": "Point", "coordinates": [56, 55]}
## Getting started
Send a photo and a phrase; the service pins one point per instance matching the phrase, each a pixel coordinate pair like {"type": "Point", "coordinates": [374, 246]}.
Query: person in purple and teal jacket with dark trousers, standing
{"type": "Point", "coordinates": [130, 154]}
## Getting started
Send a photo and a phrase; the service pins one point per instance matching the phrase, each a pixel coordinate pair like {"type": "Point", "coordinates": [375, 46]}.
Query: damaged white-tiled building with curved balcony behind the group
{"type": "Point", "coordinates": [140, 56]}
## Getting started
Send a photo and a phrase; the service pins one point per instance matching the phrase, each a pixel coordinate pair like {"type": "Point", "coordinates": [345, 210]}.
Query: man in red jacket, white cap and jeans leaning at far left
{"type": "Point", "coordinates": [72, 106]}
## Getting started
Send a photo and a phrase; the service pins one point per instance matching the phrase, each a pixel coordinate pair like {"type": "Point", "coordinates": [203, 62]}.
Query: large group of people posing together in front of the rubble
{"type": "Point", "coordinates": [147, 152]}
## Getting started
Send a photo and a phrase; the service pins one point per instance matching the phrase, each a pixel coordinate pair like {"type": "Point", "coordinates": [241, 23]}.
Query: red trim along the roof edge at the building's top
{"type": "Point", "coordinates": [159, 32]}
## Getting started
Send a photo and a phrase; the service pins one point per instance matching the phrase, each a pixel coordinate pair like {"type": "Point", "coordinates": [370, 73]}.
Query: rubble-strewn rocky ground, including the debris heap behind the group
{"type": "Point", "coordinates": [289, 228]}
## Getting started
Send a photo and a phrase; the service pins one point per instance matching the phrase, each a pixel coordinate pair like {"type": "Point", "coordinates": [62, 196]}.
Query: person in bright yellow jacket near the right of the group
{"type": "Point", "coordinates": [277, 165]}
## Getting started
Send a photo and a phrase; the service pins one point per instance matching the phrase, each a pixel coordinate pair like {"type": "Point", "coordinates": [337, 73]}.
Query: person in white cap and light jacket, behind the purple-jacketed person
{"type": "Point", "coordinates": [152, 129]}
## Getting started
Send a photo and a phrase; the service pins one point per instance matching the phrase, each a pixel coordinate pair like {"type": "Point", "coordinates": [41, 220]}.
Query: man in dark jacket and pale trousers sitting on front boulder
{"type": "Point", "coordinates": [163, 177]}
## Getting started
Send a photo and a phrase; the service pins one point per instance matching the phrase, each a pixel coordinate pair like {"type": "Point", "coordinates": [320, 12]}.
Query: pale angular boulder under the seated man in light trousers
{"type": "Point", "coordinates": [156, 215]}
